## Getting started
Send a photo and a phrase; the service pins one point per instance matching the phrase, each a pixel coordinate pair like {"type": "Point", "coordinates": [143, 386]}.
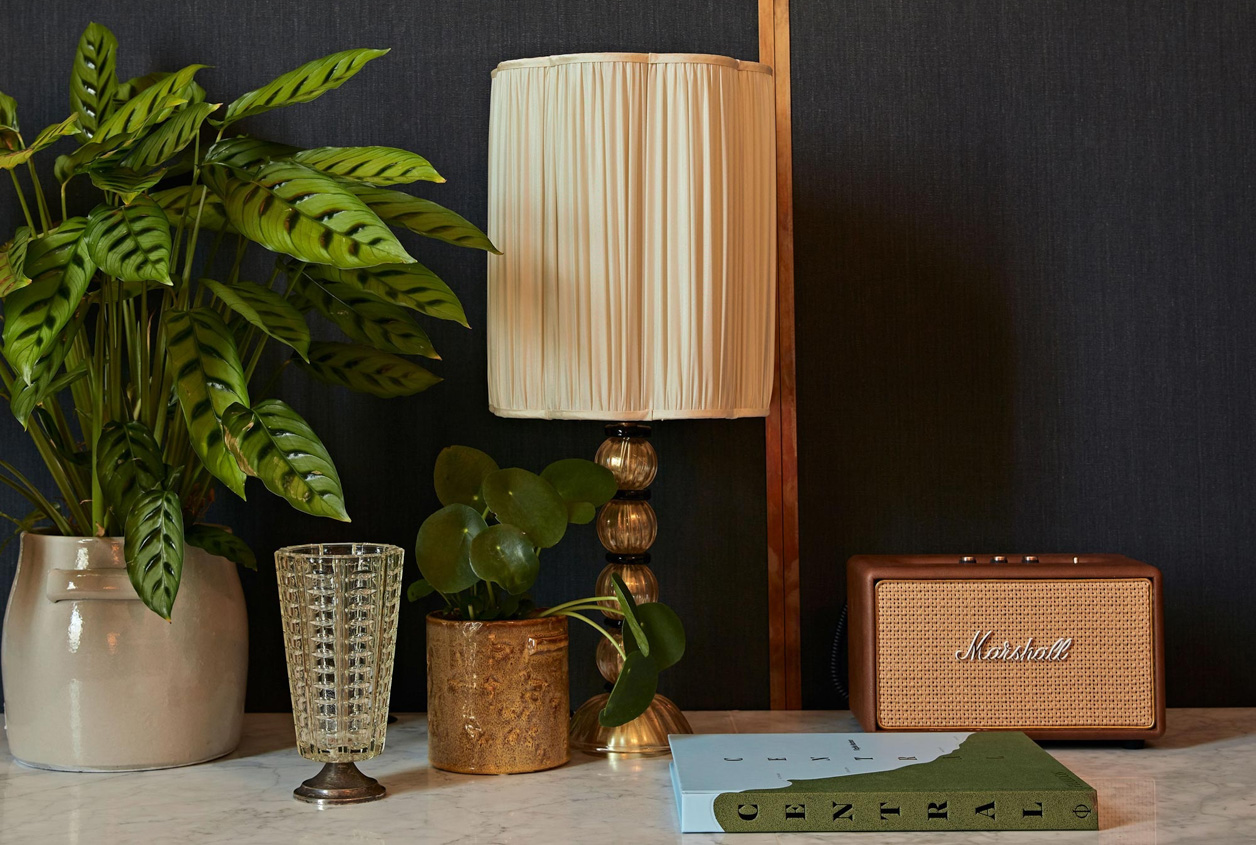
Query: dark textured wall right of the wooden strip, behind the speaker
{"type": "Point", "coordinates": [1027, 284]}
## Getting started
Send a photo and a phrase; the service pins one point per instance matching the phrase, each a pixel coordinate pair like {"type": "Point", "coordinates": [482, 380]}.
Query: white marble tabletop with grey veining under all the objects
{"type": "Point", "coordinates": [1196, 785]}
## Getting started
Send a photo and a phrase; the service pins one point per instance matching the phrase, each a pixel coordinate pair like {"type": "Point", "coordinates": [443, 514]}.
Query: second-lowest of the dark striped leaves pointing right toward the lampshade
{"type": "Point", "coordinates": [367, 318]}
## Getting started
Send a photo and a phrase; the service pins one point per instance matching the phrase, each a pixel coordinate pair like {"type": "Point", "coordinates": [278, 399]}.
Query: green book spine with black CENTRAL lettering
{"type": "Point", "coordinates": [786, 810]}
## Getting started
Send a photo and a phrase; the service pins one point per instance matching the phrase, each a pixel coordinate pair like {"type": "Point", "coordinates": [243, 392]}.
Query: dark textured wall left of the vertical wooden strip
{"type": "Point", "coordinates": [431, 95]}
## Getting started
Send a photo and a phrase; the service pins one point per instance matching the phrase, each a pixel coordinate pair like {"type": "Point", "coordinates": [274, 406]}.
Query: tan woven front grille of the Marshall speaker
{"type": "Point", "coordinates": [1106, 681]}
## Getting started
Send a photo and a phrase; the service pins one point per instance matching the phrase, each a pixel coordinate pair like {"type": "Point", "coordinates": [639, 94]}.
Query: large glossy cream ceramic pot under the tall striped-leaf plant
{"type": "Point", "coordinates": [95, 681]}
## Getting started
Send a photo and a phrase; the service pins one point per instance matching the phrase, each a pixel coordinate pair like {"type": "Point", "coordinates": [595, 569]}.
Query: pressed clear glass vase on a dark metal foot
{"type": "Point", "coordinates": [340, 607]}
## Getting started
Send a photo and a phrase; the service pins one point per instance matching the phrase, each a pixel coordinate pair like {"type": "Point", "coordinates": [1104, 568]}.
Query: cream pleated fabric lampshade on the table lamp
{"type": "Point", "coordinates": [634, 198]}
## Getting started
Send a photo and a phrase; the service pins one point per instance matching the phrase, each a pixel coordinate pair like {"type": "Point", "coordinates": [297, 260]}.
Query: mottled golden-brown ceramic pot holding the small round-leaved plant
{"type": "Point", "coordinates": [497, 695]}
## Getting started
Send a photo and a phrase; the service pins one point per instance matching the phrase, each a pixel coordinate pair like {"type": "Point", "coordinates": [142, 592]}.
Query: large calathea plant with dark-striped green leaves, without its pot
{"type": "Point", "coordinates": [140, 313]}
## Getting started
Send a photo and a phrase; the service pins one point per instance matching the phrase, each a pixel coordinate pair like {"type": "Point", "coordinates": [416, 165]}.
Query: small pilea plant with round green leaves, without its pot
{"type": "Point", "coordinates": [482, 553]}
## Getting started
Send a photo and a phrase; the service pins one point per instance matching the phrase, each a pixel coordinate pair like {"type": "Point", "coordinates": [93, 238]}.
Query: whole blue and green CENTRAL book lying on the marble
{"type": "Point", "coordinates": [781, 783]}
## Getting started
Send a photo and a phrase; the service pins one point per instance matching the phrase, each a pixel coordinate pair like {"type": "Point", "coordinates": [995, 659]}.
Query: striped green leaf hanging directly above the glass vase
{"type": "Point", "coordinates": [276, 445]}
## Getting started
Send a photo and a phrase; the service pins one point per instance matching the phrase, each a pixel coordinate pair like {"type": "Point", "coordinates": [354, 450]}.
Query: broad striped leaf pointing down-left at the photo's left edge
{"type": "Point", "coordinates": [60, 271]}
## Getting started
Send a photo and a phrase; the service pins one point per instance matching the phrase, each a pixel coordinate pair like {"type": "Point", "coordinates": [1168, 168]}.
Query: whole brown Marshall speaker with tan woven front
{"type": "Point", "coordinates": [1063, 649]}
